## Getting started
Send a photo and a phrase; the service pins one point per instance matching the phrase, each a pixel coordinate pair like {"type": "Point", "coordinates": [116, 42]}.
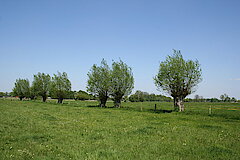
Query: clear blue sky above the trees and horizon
{"type": "Point", "coordinates": [71, 35]}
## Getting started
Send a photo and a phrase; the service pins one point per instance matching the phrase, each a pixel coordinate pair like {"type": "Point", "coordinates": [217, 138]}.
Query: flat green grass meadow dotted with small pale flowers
{"type": "Point", "coordinates": [79, 130]}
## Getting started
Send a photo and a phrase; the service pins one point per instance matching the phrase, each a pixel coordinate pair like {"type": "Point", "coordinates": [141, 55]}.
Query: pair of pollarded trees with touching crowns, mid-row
{"type": "Point", "coordinates": [115, 82]}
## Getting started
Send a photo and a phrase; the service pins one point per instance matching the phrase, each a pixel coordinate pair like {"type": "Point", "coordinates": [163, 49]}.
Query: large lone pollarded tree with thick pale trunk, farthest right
{"type": "Point", "coordinates": [178, 78]}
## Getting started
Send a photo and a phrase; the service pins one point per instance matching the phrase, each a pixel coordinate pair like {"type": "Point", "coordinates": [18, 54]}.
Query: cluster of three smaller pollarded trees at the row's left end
{"type": "Point", "coordinates": [43, 85]}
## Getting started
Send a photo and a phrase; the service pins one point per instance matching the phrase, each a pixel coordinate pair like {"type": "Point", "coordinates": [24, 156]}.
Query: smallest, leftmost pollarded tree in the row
{"type": "Point", "coordinates": [22, 88]}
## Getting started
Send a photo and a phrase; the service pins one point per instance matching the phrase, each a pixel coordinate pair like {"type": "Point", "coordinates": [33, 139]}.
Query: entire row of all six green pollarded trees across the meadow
{"type": "Point", "coordinates": [176, 76]}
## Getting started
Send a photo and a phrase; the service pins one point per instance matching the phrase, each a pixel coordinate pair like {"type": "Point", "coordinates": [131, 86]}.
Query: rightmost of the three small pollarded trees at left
{"type": "Point", "coordinates": [60, 86]}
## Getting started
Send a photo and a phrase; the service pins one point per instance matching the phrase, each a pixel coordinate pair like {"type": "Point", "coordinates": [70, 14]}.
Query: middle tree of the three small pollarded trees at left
{"type": "Point", "coordinates": [41, 85]}
